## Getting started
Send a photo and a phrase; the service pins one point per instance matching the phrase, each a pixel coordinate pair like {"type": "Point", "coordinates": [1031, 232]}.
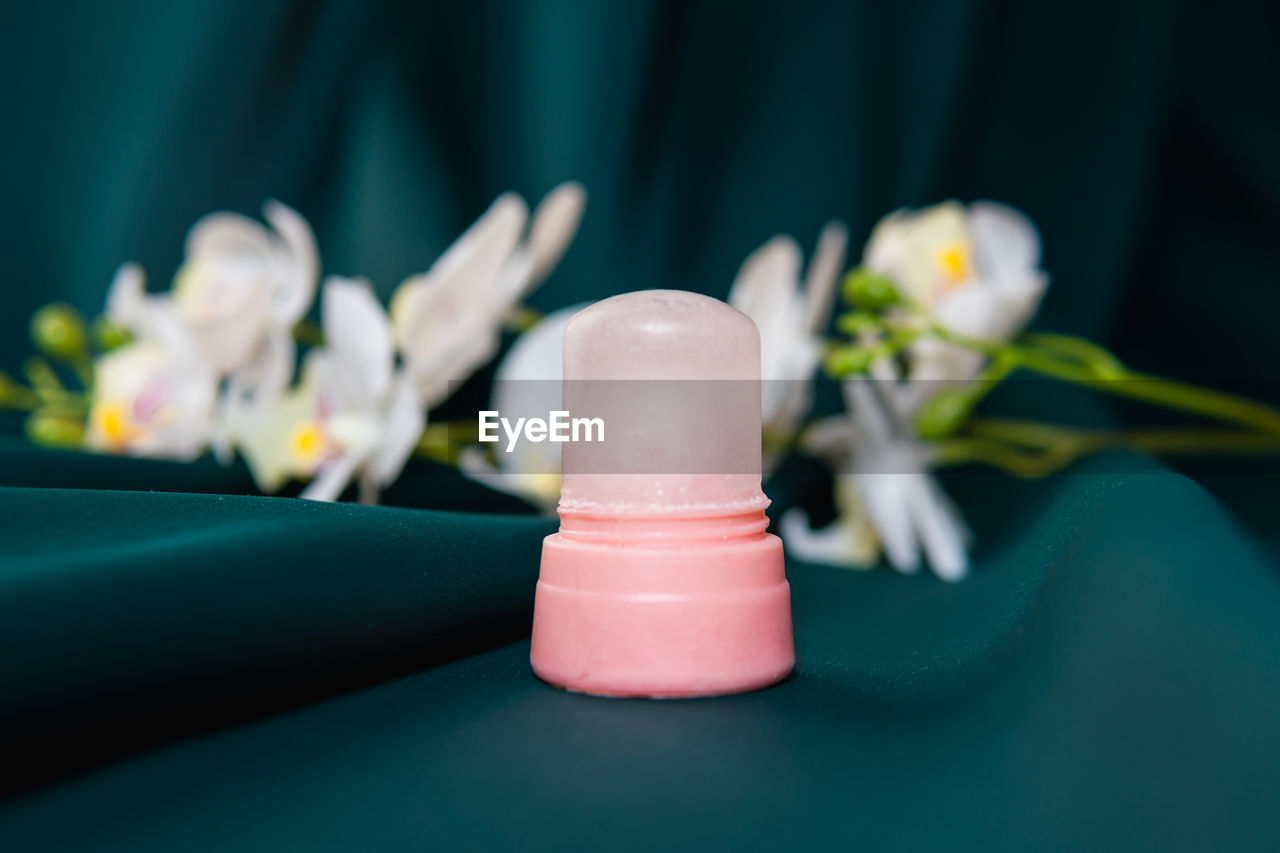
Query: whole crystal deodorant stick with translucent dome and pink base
{"type": "Point", "coordinates": [662, 581]}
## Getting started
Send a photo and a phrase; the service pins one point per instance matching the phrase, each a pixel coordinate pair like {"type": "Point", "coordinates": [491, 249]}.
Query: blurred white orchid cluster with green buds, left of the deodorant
{"type": "Point", "coordinates": [209, 366]}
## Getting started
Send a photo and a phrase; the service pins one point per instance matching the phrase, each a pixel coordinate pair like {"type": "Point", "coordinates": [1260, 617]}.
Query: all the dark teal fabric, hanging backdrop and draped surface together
{"type": "Point", "coordinates": [173, 662]}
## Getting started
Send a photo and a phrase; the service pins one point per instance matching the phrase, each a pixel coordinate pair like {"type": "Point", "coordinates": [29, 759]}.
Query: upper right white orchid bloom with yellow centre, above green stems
{"type": "Point", "coordinates": [976, 270]}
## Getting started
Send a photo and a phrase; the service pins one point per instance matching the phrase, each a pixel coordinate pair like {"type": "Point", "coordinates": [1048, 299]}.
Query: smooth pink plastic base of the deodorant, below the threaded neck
{"type": "Point", "coordinates": [668, 621]}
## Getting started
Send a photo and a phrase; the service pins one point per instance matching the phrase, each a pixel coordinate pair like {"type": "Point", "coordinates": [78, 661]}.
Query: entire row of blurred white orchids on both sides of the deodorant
{"type": "Point", "coordinates": [932, 321]}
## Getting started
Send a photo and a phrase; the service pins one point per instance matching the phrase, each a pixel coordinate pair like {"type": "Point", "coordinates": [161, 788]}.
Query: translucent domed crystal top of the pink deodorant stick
{"type": "Point", "coordinates": [675, 377]}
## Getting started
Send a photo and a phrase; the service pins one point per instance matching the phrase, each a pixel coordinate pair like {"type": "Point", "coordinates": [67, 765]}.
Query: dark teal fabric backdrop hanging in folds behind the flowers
{"type": "Point", "coordinates": [1142, 138]}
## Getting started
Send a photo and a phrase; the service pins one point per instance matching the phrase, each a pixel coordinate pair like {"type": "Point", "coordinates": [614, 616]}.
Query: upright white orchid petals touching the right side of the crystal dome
{"type": "Point", "coordinates": [792, 318]}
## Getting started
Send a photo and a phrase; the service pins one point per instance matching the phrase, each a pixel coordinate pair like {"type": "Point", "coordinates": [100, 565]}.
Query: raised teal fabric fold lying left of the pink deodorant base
{"type": "Point", "coordinates": [131, 618]}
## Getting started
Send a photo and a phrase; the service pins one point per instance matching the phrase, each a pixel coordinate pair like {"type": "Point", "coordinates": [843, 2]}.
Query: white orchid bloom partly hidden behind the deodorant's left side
{"type": "Point", "coordinates": [527, 385]}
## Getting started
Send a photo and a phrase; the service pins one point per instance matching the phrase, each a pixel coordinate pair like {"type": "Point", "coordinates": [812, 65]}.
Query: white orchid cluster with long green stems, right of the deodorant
{"type": "Point", "coordinates": [934, 322]}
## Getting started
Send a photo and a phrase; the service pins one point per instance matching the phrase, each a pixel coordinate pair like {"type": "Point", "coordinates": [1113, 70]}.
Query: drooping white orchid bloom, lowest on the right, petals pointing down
{"type": "Point", "coordinates": [884, 485]}
